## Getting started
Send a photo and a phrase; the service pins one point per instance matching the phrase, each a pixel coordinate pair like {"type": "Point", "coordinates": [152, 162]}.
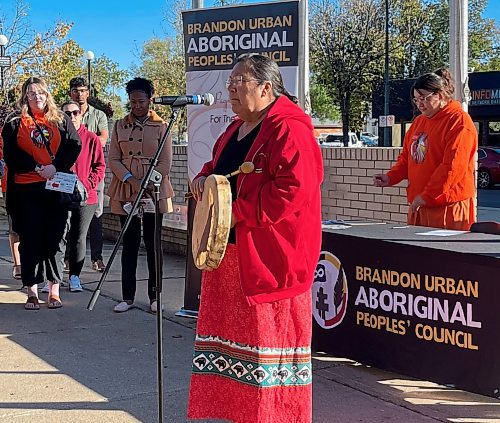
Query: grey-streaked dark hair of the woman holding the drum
{"type": "Point", "coordinates": [265, 69]}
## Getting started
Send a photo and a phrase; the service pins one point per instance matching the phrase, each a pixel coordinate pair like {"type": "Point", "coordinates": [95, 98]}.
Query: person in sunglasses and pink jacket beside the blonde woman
{"type": "Point", "coordinates": [90, 168]}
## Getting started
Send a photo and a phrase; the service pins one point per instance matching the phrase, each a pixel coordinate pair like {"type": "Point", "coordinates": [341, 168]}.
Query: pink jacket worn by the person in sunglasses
{"type": "Point", "coordinates": [90, 165]}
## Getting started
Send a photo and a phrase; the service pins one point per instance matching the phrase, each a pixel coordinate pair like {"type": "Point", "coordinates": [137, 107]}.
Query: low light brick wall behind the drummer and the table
{"type": "Point", "coordinates": [347, 191]}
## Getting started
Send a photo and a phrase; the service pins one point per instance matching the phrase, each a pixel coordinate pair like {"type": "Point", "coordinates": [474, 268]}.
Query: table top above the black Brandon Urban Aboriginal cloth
{"type": "Point", "coordinates": [469, 242]}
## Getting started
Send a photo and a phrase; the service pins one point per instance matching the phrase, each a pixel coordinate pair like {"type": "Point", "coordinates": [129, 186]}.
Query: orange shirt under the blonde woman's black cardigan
{"type": "Point", "coordinates": [30, 140]}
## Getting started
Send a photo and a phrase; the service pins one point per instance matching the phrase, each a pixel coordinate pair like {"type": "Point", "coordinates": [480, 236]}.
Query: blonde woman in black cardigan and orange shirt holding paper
{"type": "Point", "coordinates": [37, 127]}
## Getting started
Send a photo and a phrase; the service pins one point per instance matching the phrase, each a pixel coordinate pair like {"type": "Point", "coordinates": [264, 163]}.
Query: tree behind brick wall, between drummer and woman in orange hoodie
{"type": "Point", "coordinates": [346, 44]}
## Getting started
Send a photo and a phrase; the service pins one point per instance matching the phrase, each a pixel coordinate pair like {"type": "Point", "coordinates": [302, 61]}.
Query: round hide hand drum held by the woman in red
{"type": "Point", "coordinates": [211, 223]}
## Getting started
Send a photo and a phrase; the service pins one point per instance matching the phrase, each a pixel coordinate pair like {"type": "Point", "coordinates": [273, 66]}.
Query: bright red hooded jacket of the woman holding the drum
{"type": "Point", "coordinates": [278, 234]}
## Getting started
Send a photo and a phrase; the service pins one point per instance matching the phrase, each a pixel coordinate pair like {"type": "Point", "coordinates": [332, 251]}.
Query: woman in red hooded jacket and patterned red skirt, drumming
{"type": "Point", "coordinates": [252, 359]}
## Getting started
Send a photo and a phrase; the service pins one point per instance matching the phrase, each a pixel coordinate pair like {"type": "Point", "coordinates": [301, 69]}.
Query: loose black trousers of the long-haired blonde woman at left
{"type": "Point", "coordinates": [40, 222]}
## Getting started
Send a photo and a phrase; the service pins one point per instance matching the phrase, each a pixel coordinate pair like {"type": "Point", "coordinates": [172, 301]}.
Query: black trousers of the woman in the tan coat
{"type": "Point", "coordinates": [130, 253]}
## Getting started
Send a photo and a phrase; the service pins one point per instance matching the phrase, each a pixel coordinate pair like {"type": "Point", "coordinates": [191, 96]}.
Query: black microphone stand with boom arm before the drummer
{"type": "Point", "coordinates": [154, 177]}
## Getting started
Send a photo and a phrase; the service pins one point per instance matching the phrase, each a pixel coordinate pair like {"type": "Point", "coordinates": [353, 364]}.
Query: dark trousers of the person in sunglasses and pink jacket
{"type": "Point", "coordinates": [76, 247]}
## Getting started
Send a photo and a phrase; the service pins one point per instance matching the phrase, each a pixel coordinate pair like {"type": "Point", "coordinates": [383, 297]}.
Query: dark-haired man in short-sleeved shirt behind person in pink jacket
{"type": "Point", "coordinates": [95, 121]}
